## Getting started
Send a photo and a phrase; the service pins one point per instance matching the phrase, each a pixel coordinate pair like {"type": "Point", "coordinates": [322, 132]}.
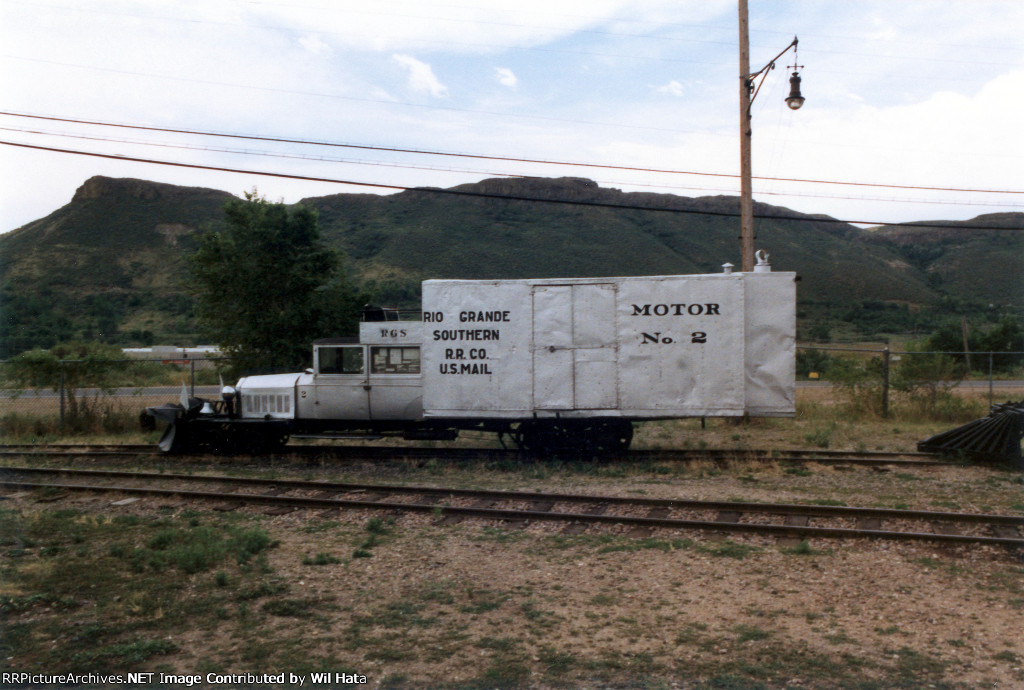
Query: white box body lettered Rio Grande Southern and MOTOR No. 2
{"type": "Point", "coordinates": [638, 348]}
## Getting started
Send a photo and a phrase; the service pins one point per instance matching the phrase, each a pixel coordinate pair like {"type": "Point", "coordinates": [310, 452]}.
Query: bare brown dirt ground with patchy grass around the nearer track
{"type": "Point", "coordinates": [409, 602]}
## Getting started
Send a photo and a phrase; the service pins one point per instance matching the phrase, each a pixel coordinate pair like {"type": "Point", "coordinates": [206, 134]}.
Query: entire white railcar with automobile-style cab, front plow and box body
{"type": "Point", "coordinates": [552, 363]}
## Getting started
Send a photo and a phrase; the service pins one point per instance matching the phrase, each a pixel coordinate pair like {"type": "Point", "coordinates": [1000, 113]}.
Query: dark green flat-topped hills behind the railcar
{"type": "Point", "coordinates": [111, 266]}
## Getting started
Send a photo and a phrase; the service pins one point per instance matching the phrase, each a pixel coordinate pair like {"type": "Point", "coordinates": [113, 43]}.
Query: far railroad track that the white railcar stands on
{"type": "Point", "coordinates": [486, 455]}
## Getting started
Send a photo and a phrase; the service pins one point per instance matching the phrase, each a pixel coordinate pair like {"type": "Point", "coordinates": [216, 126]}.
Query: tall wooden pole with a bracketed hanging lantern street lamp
{"type": "Point", "coordinates": [748, 93]}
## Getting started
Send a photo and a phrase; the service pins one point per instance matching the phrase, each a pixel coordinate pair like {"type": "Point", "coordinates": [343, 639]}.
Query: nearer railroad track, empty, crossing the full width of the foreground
{"type": "Point", "coordinates": [642, 515]}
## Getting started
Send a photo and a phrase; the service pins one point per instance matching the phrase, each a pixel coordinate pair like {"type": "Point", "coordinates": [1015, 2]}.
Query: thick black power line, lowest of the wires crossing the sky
{"type": "Point", "coordinates": [514, 198]}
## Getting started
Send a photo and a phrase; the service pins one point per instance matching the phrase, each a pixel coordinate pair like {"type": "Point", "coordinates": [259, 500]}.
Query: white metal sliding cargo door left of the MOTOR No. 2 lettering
{"type": "Point", "coordinates": [575, 355]}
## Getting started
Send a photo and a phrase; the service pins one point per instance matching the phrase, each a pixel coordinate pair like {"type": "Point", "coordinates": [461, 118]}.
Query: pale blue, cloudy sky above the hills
{"type": "Point", "coordinates": [913, 108]}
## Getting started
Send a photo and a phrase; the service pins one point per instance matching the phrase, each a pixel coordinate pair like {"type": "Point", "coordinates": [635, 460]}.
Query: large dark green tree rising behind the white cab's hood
{"type": "Point", "coordinates": [267, 285]}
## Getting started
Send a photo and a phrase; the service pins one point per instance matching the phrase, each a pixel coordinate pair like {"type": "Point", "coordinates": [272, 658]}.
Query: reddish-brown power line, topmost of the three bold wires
{"type": "Point", "coordinates": [507, 159]}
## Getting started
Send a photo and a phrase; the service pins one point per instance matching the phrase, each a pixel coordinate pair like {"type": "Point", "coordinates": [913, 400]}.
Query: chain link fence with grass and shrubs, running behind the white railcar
{"type": "Point", "coordinates": [68, 398]}
